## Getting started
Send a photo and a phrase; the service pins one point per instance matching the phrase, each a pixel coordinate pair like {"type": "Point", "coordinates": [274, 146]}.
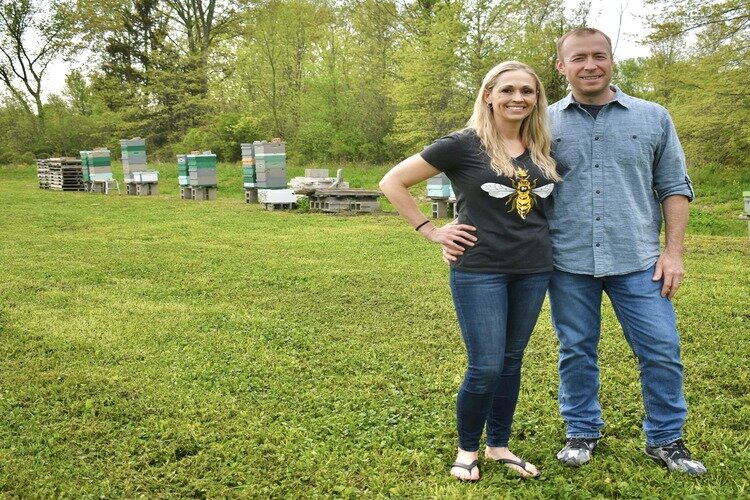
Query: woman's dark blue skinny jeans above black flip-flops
{"type": "Point", "coordinates": [496, 313]}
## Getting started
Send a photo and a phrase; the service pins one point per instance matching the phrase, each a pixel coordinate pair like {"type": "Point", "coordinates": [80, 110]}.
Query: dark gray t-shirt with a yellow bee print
{"type": "Point", "coordinates": [509, 213]}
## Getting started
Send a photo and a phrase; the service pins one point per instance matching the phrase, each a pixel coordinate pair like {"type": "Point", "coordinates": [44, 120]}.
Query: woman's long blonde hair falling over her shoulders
{"type": "Point", "coordinates": [535, 132]}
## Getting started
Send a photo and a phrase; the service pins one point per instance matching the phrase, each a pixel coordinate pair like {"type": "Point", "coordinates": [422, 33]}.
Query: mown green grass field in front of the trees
{"type": "Point", "coordinates": [163, 348]}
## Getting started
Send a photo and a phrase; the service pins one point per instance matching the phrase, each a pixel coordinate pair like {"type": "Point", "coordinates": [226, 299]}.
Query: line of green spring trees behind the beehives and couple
{"type": "Point", "coordinates": [338, 80]}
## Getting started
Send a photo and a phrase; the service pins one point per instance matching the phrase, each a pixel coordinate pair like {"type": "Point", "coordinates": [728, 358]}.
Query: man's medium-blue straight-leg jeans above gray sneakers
{"type": "Point", "coordinates": [650, 327]}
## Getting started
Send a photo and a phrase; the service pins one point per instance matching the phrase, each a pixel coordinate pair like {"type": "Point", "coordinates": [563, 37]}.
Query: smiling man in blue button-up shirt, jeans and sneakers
{"type": "Point", "coordinates": [622, 165]}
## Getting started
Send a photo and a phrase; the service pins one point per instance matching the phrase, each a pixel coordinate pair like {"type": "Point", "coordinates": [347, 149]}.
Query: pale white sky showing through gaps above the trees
{"type": "Point", "coordinates": [604, 15]}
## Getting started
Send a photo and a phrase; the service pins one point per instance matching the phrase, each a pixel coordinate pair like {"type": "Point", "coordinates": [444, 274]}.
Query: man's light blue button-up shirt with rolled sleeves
{"type": "Point", "coordinates": [605, 217]}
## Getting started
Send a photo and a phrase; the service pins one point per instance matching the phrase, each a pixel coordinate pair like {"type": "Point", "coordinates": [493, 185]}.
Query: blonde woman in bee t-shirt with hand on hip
{"type": "Point", "coordinates": [501, 169]}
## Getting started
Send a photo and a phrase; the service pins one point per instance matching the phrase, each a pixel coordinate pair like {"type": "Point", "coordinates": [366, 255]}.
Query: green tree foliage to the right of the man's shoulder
{"type": "Point", "coordinates": [704, 86]}
